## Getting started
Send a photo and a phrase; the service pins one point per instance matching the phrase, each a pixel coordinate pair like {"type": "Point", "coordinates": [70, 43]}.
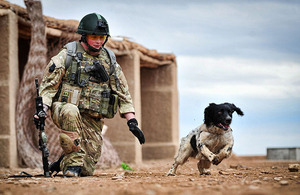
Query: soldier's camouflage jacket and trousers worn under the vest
{"type": "Point", "coordinates": [78, 121]}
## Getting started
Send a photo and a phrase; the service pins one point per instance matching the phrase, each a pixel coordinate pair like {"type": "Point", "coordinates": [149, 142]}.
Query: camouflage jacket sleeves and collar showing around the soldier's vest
{"type": "Point", "coordinates": [55, 73]}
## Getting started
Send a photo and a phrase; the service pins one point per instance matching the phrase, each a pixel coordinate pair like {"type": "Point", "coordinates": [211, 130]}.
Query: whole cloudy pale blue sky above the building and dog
{"type": "Point", "coordinates": [241, 52]}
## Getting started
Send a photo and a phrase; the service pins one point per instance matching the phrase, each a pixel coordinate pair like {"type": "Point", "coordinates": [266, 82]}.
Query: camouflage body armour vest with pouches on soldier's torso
{"type": "Point", "coordinates": [86, 84]}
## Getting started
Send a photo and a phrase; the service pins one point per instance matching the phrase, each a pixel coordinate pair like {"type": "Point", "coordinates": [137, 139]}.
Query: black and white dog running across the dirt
{"type": "Point", "coordinates": [211, 142]}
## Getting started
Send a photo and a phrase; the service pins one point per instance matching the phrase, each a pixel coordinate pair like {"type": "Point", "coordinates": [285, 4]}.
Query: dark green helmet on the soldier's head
{"type": "Point", "coordinates": [93, 24]}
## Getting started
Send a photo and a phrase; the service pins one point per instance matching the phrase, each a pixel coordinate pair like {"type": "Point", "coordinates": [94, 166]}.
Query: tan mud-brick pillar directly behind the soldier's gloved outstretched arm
{"type": "Point", "coordinates": [126, 144]}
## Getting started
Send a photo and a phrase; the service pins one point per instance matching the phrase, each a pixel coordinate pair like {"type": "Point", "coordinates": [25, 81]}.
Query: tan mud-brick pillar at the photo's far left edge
{"type": "Point", "coordinates": [9, 81]}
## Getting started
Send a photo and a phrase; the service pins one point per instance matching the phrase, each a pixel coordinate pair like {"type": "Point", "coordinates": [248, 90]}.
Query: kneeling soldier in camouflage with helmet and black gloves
{"type": "Point", "coordinates": [83, 84]}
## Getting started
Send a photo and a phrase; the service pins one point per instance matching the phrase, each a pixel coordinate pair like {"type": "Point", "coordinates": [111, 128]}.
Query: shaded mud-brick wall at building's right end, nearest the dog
{"type": "Point", "coordinates": [160, 111]}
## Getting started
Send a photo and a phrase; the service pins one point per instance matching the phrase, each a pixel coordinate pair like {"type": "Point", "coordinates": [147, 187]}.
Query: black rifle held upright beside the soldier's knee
{"type": "Point", "coordinates": [40, 123]}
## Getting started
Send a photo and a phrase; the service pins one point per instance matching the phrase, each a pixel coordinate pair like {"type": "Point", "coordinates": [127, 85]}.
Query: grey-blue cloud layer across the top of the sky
{"type": "Point", "coordinates": [259, 29]}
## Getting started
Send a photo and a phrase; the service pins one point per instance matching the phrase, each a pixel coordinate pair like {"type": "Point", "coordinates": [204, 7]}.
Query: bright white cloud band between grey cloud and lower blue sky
{"type": "Point", "coordinates": [238, 77]}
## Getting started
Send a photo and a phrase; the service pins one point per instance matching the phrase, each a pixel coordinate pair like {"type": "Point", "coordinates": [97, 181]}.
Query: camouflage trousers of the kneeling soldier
{"type": "Point", "coordinates": [84, 130]}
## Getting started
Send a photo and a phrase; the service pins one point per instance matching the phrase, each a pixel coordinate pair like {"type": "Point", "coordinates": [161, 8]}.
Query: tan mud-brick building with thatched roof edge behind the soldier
{"type": "Point", "coordinates": [152, 79]}
